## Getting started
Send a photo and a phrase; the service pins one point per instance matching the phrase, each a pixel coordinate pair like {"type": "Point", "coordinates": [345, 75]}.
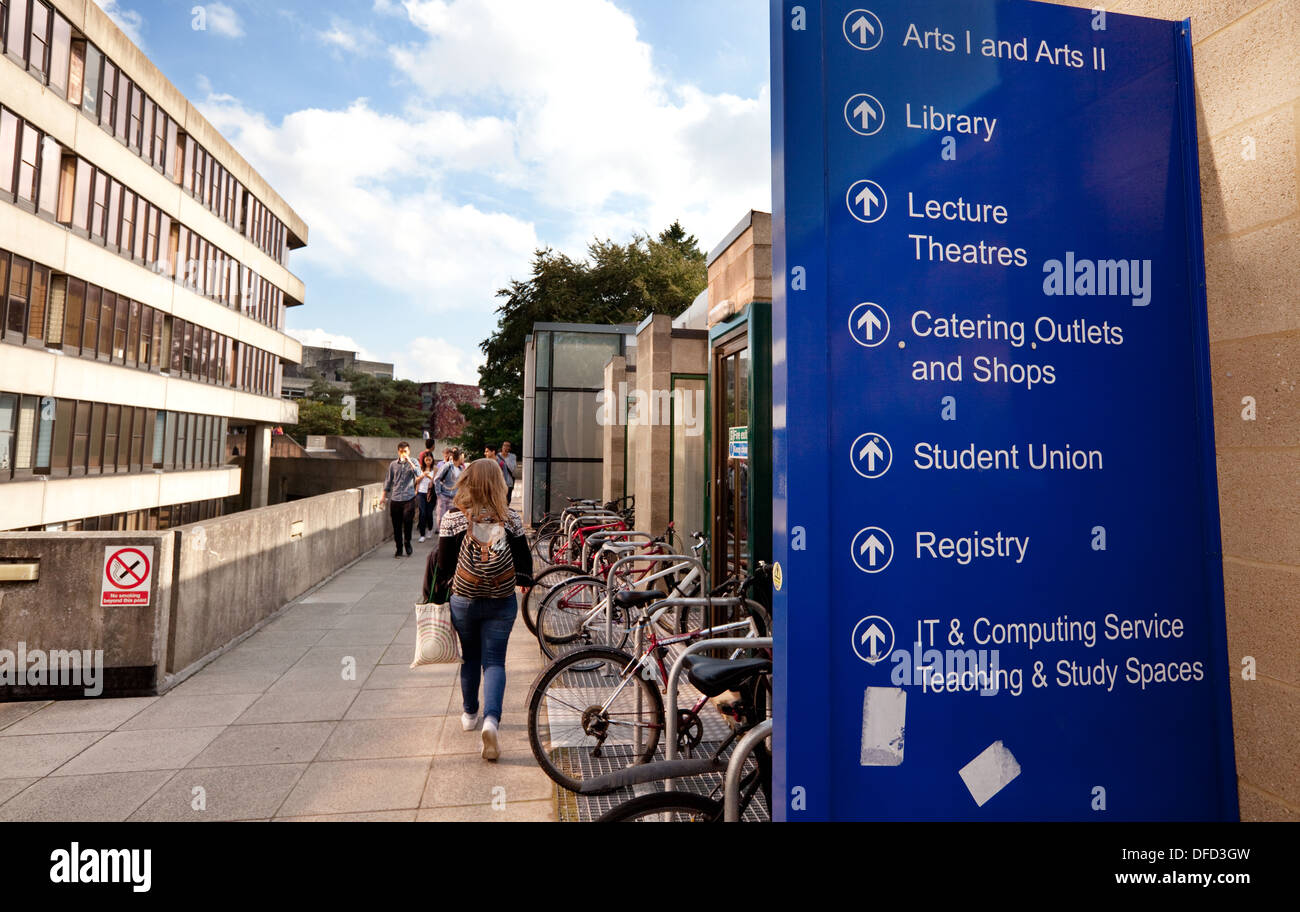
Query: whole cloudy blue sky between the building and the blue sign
{"type": "Point", "coordinates": [434, 145]}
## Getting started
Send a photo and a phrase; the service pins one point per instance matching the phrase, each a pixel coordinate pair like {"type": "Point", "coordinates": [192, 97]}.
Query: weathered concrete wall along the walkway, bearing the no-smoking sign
{"type": "Point", "coordinates": [211, 584]}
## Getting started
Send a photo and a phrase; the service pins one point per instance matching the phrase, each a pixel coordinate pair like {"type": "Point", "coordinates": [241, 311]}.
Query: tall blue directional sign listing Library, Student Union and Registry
{"type": "Point", "coordinates": [1008, 602]}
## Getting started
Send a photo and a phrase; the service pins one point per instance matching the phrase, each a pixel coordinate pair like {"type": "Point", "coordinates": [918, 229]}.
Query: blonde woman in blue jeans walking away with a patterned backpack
{"type": "Point", "coordinates": [483, 554]}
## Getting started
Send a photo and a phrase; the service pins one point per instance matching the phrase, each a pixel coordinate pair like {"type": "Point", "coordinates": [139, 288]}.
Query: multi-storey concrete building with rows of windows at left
{"type": "Point", "coordinates": [144, 286]}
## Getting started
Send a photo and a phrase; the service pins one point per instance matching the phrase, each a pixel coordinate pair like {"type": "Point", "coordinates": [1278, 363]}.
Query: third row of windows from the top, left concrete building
{"type": "Point", "coordinates": [60, 312]}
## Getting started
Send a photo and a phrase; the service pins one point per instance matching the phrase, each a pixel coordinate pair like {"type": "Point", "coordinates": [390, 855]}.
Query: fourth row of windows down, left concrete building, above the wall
{"type": "Point", "coordinates": [60, 438]}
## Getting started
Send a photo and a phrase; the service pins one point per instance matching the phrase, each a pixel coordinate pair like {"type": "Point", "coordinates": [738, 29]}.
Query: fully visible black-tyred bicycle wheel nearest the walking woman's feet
{"type": "Point", "coordinates": [586, 718]}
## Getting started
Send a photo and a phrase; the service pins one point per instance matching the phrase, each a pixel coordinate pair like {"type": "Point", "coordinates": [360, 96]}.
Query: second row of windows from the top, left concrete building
{"type": "Point", "coordinates": [38, 173]}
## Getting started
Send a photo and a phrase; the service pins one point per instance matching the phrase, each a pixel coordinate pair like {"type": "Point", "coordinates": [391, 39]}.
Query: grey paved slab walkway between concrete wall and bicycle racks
{"type": "Point", "coordinates": [274, 731]}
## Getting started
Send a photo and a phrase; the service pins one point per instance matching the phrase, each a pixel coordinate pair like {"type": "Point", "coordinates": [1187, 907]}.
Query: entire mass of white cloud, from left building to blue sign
{"type": "Point", "coordinates": [437, 207]}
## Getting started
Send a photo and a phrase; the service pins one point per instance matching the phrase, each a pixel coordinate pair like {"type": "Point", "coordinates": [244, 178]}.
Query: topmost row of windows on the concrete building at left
{"type": "Point", "coordinates": [40, 38]}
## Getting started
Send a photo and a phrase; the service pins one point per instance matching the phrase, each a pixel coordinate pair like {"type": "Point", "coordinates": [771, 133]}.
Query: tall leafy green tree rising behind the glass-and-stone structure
{"type": "Point", "coordinates": [617, 284]}
